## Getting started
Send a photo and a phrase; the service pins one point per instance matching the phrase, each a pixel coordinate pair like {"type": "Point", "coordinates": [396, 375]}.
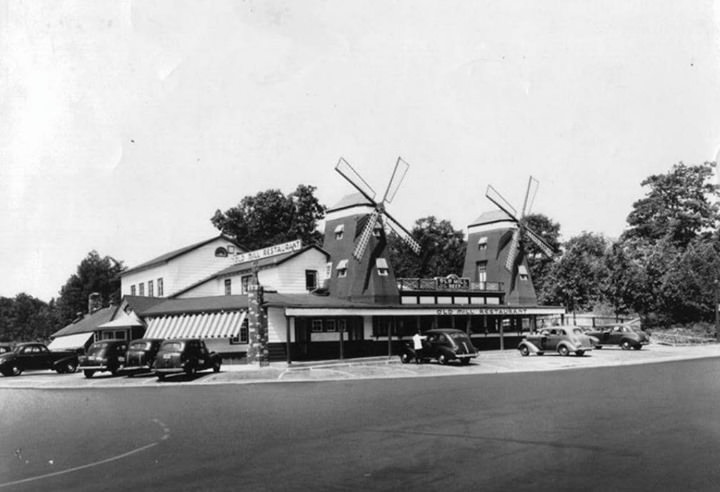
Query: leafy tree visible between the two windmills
{"type": "Point", "coordinates": [442, 250]}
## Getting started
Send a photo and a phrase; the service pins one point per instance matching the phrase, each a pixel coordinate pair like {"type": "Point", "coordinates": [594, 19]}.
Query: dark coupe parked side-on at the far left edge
{"type": "Point", "coordinates": [36, 356]}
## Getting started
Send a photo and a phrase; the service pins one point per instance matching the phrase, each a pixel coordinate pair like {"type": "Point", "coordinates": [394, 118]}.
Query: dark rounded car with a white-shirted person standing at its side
{"type": "Point", "coordinates": [442, 344]}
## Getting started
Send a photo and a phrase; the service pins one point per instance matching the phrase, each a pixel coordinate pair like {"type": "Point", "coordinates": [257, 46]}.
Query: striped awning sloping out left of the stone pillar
{"type": "Point", "coordinates": [202, 325]}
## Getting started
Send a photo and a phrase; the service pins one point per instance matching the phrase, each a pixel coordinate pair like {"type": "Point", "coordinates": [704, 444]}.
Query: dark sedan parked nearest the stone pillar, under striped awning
{"type": "Point", "coordinates": [185, 355]}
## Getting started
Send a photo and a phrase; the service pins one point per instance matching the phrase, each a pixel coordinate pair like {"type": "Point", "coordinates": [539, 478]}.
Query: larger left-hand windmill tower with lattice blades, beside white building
{"type": "Point", "coordinates": [356, 239]}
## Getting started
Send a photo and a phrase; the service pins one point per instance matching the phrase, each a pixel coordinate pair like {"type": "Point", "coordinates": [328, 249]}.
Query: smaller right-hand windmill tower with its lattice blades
{"type": "Point", "coordinates": [495, 251]}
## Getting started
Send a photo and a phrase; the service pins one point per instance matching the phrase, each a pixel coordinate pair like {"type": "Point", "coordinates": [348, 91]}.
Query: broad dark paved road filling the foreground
{"type": "Point", "coordinates": [635, 427]}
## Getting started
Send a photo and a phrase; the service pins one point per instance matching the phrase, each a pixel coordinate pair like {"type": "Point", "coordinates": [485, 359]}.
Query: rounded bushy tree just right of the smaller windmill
{"type": "Point", "coordinates": [576, 279]}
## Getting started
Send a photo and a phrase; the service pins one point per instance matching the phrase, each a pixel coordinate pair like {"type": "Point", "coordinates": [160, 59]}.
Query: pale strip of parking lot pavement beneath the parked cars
{"type": "Point", "coordinates": [489, 362]}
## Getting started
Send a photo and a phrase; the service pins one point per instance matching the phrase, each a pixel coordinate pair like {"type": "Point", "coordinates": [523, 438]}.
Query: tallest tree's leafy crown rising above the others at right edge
{"type": "Point", "coordinates": [677, 205]}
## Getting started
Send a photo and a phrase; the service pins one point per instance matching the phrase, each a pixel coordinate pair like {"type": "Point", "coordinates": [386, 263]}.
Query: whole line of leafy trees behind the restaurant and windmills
{"type": "Point", "coordinates": [664, 267]}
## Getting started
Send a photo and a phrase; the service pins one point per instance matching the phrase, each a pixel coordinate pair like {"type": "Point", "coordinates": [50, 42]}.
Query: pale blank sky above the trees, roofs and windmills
{"type": "Point", "coordinates": [124, 125]}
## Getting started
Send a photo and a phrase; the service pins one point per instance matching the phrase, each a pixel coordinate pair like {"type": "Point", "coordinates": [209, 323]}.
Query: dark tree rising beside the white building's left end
{"type": "Point", "coordinates": [94, 274]}
